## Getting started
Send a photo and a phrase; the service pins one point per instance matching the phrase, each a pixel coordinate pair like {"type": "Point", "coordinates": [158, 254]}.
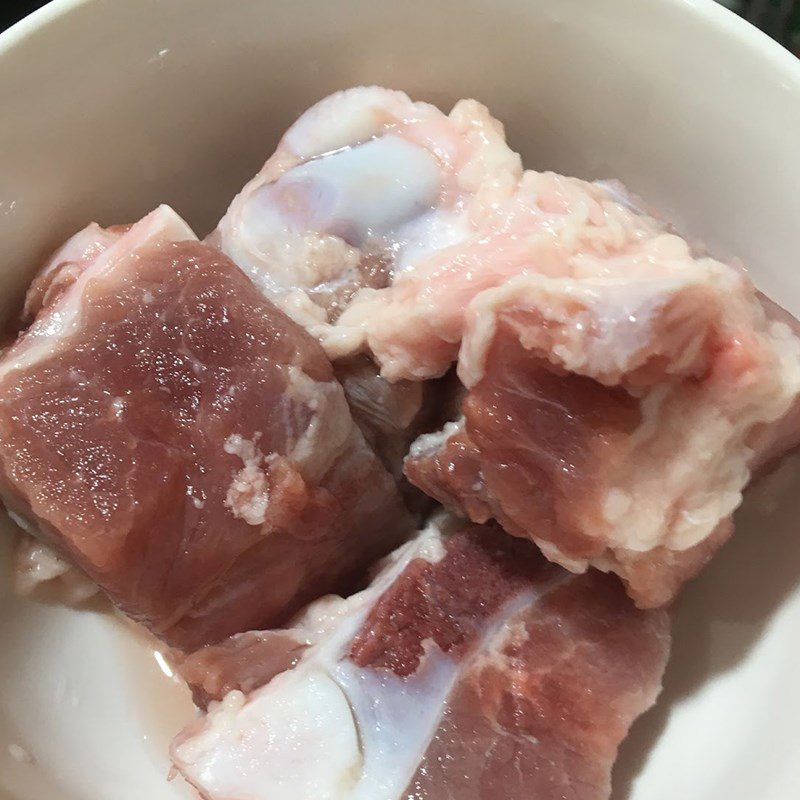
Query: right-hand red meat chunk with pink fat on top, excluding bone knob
{"type": "Point", "coordinates": [619, 388]}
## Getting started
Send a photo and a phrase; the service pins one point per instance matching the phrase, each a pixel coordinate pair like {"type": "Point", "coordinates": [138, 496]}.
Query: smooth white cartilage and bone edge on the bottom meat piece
{"type": "Point", "coordinates": [363, 733]}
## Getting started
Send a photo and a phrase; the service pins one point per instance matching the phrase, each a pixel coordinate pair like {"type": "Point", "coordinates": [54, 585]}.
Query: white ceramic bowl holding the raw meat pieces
{"type": "Point", "coordinates": [108, 107]}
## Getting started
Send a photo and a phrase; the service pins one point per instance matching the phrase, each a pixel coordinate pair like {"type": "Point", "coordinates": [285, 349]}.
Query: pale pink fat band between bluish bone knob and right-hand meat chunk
{"type": "Point", "coordinates": [545, 225]}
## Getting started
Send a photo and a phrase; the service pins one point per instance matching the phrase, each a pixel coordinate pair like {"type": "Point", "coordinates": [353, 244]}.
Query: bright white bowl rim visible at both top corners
{"type": "Point", "coordinates": [705, 12]}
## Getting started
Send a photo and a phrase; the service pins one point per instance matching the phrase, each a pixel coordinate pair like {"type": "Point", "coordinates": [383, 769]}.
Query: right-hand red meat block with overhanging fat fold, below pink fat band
{"type": "Point", "coordinates": [598, 442]}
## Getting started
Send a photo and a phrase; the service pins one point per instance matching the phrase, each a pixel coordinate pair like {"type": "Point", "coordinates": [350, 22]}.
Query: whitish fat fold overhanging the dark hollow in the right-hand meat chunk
{"type": "Point", "coordinates": [603, 328]}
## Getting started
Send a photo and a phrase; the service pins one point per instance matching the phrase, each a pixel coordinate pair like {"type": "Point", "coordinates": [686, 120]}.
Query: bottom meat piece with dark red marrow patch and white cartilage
{"type": "Point", "coordinates": [470, 669]}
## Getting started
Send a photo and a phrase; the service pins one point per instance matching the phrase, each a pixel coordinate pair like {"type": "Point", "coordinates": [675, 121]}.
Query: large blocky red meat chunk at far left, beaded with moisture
{"type": "Point", "coordinates": [186, 444]}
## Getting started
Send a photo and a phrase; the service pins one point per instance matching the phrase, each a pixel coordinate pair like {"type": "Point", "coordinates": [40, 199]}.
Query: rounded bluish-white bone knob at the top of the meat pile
{"type": "Point", "coordinates": [363, 185]}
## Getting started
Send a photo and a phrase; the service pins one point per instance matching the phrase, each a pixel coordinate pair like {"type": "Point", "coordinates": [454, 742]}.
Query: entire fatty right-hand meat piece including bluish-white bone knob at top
{"type": "Point", "coordinates": [620, 387]}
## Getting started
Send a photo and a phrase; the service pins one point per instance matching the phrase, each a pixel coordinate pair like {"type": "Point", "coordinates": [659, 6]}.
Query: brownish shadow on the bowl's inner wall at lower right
{"type": "Point", "coordinates": [721, 615]}
